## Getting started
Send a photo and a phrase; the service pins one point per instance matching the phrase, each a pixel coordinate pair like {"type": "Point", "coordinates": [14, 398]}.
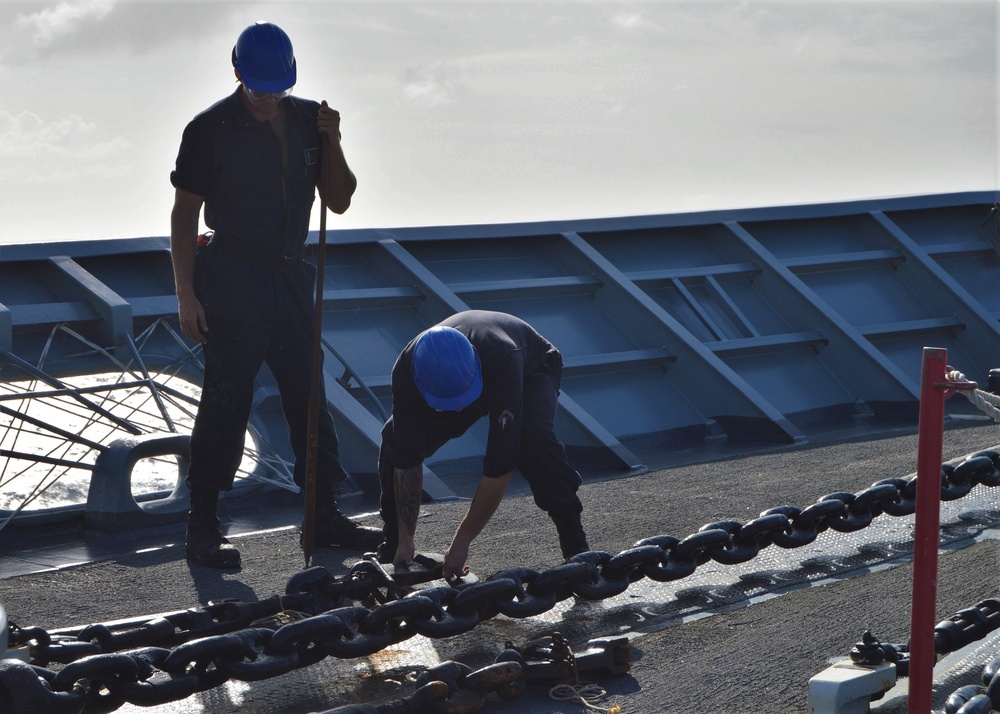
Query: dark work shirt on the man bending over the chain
{"type": "Point", "coordinates": [508, 348]}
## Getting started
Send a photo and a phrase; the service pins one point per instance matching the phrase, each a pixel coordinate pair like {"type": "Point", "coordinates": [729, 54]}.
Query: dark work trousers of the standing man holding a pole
{"type": "Point", "coordinates": [256, 315]}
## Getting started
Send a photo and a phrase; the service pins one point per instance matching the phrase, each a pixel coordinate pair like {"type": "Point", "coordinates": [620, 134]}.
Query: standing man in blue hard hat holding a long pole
{"type": "Point", "coordinates": [254, 161]}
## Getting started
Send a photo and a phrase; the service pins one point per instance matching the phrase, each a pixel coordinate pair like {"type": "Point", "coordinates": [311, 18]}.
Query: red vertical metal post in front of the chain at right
{"type": "Point", "coordinates": [930, 433]}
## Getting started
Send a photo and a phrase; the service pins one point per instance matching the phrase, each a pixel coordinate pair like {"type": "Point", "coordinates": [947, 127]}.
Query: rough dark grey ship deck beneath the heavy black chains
{"type": "Point", "coordinates": [740, 638]}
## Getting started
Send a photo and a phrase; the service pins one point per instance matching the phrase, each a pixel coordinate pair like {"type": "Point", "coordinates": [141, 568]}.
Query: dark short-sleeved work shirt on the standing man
{"type": "Point", "coordinates": [236, 164]}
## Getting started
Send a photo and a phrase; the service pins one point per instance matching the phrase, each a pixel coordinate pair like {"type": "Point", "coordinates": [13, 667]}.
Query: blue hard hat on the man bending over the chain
{"type": "Point", "coordinates": [446, 369]}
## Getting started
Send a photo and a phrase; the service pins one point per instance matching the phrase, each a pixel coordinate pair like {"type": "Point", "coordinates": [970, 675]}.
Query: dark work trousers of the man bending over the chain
{"type": "Point", "coordinates": [543, 463]}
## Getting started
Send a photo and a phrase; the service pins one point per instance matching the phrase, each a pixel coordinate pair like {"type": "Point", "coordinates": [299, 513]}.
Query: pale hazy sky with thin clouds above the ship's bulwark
{"type": "Point", "coordinates": [470, 112]}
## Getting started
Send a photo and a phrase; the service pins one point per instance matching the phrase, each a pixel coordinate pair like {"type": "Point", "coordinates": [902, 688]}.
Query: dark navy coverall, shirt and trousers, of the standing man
{"type": "Point", "coordinates": [255, 287]}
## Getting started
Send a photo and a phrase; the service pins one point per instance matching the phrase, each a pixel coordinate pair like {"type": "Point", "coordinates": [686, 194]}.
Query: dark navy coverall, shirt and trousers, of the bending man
{"type": "Point", "coordinates": [522, 372]}
